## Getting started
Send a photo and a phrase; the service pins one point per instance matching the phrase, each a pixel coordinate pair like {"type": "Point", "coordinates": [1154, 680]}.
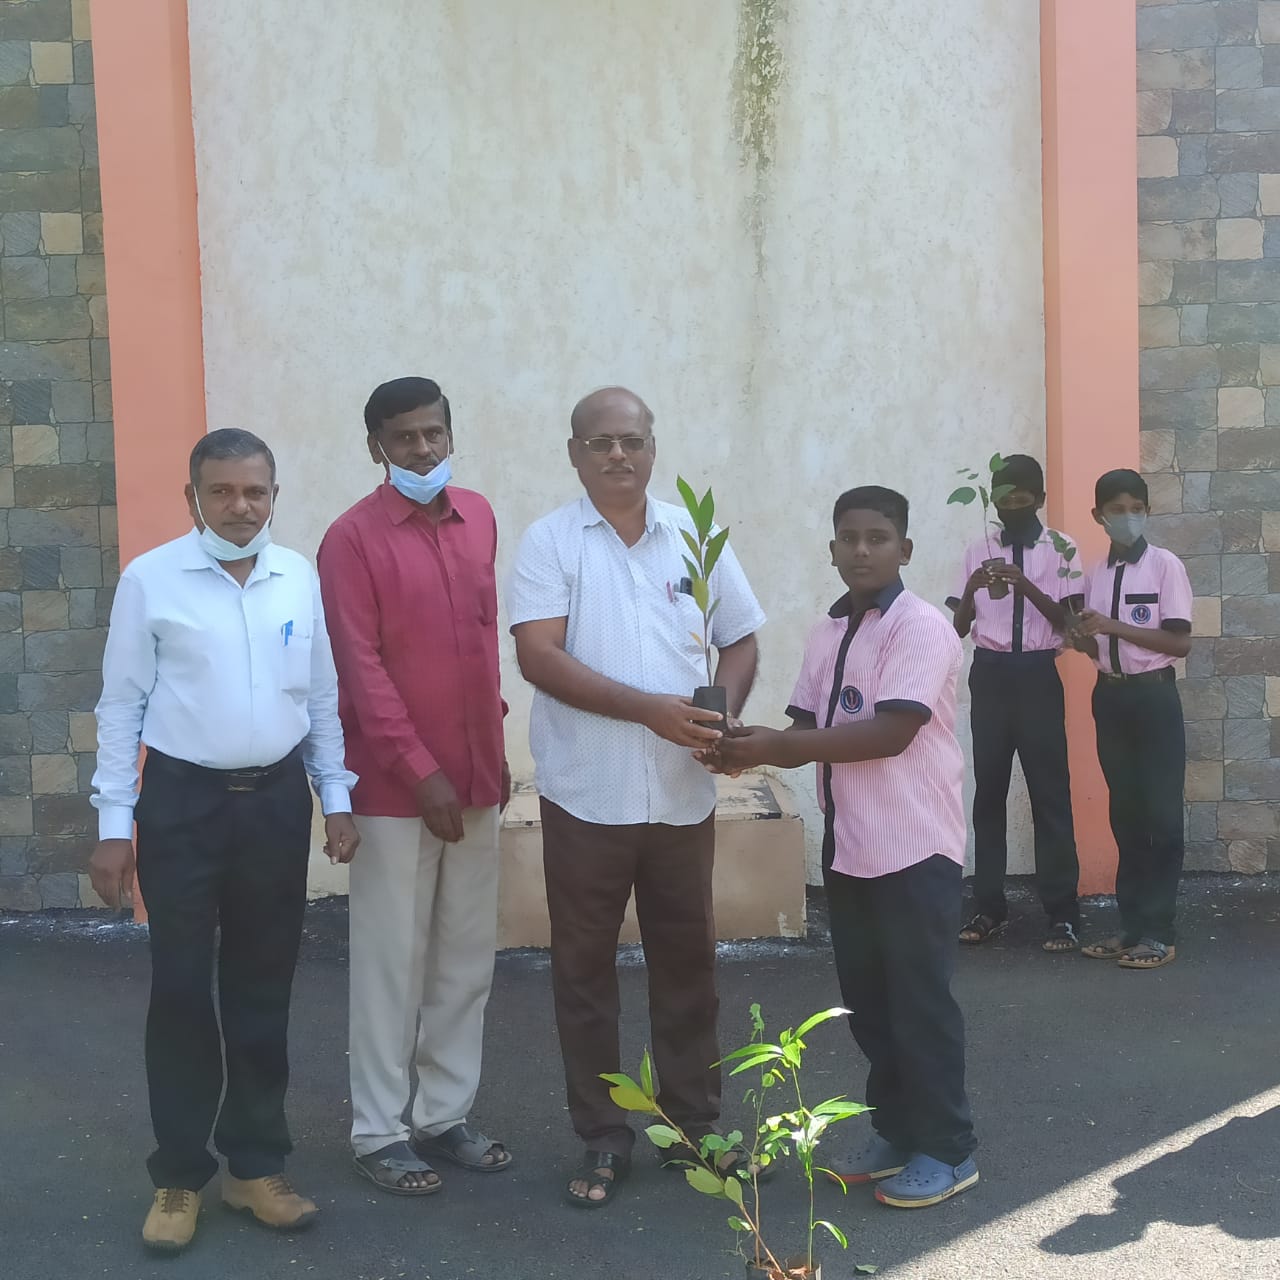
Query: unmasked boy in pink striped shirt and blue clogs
{"type": "Point", "coordinates": [875, 710]}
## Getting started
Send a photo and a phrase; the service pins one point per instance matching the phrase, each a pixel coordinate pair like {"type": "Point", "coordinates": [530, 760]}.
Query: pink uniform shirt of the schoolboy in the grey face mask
{"type": "Point", "coordinates": [1145, 587]}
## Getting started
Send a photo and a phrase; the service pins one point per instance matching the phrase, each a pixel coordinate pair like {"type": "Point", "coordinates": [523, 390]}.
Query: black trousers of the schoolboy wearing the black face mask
{"type": "Point", "coordinates": [1017, 707]}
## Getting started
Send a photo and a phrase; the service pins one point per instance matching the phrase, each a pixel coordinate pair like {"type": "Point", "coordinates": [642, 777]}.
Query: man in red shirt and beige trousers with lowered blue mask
{"type": "Point", "coordinates": [408, 578]}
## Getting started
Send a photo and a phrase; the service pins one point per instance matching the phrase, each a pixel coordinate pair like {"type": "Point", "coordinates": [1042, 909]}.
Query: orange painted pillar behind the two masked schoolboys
{"type": "Point", "coordinates": [1091, 323]}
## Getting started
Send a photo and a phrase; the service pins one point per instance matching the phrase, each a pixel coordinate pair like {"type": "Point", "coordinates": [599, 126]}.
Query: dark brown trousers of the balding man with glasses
{"type": "Point", "coordinates": [591, 872]}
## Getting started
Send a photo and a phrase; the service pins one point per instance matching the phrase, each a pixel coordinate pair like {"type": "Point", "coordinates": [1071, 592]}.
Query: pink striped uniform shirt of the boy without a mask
{"type": "Point", "coordinates": [885, 816]}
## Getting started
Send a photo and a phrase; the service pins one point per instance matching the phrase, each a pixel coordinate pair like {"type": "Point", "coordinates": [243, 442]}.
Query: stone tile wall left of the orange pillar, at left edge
{"type": "Point", "coordinates": [58, 557]}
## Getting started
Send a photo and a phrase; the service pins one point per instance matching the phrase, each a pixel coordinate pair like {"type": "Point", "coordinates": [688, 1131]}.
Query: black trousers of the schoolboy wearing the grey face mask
{"type": "Point", "coordinates": [1142, 748]}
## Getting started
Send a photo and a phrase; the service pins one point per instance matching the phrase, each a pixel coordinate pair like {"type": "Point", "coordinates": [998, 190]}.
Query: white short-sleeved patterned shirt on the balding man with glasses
{"type": "Point", "coordinates": [628, 621]}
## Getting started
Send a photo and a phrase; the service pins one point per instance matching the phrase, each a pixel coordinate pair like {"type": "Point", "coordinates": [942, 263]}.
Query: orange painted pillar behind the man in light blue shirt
{"type": "Point", "coordinates": [148, 153]}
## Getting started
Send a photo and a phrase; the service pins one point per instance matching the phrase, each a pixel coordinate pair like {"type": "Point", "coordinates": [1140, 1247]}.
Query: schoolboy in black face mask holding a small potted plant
{"type": "Point", "coordinates": [1017, 702]}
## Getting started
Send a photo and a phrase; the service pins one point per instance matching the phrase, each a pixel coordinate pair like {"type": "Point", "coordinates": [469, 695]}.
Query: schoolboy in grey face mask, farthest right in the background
{"type": "Point", "coordinates": [1136, 625]}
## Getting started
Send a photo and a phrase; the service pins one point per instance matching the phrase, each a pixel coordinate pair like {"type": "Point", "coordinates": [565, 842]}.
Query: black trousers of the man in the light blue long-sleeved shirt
{"type": "Point", "coordinates": [209, 861]}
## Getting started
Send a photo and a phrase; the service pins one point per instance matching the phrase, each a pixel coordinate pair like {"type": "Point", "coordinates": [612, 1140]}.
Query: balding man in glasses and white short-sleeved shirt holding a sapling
{"type": "Point", "coordinates": [605, 633]}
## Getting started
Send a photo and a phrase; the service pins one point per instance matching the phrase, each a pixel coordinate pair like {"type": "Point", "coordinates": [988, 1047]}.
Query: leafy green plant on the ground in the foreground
{"type": "Point", "coordinates": [794, 1133]}
